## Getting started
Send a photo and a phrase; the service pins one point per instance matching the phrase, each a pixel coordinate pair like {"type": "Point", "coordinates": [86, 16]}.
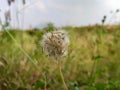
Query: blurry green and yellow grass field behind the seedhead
{"type": "Point", "coordinates": [93, 61]}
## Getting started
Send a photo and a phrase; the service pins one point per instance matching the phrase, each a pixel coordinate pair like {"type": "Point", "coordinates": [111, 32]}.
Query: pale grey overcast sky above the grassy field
{"type": "Point", "coordinates": [60, 12]}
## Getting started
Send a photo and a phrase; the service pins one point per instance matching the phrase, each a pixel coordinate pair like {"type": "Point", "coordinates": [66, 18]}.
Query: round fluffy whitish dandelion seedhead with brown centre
{"type": "Point", "coordinates": [55, 44]}
